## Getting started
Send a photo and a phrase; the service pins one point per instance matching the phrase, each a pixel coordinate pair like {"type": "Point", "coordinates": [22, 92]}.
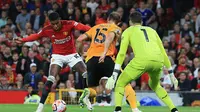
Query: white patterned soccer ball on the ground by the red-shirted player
{"type": "Point", "coordinates": [59, 106]}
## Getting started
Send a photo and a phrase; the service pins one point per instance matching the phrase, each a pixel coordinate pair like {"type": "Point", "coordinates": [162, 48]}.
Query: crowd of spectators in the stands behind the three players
{"type": "Point", "coordinates": [176, 21]}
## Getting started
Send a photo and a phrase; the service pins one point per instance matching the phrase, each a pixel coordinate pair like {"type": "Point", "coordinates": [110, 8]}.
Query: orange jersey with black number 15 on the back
{"type": "Point", "coordinates": [98, 35]}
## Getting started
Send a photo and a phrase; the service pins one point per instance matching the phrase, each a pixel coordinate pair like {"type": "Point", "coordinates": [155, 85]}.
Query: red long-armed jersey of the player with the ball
{"type": "Point", "coordinates": [62, 40]}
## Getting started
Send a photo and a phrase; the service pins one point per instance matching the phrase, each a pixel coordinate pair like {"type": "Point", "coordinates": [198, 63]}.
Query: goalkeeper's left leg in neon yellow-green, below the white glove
{"type": "Point", "coordinates": [131, 72]}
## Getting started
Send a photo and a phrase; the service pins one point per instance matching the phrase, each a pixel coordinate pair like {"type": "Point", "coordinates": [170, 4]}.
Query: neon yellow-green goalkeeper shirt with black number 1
{"type": "Point", "coordinates": [146, 45]}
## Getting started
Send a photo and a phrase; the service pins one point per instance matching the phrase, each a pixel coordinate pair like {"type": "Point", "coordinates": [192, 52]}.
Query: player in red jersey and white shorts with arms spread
{"type": "Point", "coordinates": [64, 51]}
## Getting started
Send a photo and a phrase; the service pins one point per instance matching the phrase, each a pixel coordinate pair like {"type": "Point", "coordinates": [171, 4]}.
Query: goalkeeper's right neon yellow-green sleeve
{"type": "Point", "coordinates": [166, 59]}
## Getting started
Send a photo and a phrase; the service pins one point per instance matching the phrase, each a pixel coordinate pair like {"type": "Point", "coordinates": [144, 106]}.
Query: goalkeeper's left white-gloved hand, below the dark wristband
{"type": "Point", "coordinates": [111, 81]}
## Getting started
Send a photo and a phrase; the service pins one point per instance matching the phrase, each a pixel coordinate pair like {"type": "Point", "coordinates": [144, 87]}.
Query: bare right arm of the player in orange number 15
{"type": "Point", "coordinates": [108, 41]}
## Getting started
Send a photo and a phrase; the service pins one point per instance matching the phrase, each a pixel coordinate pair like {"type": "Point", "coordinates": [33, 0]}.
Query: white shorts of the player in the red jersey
{"type": "Point", "coordinates": [70, 60]}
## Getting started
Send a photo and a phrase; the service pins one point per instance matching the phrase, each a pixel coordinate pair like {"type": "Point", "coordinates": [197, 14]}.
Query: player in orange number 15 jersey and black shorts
{"type": "Point", "coordinates": [99, 58]}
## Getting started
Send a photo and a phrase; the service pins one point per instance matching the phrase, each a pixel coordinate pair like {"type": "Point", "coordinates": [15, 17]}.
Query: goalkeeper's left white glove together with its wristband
{"type": "Point", "coordinates": [112, 80]}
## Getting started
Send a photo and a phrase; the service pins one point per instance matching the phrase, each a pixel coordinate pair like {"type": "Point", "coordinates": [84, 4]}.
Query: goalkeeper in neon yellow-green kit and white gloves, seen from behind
{"type": "Point", "coordinates": [150, 56]}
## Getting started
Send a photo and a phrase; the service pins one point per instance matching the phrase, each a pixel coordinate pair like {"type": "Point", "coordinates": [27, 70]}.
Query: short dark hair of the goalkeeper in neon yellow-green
{"type": "Point", "coordinates": [135, 17]}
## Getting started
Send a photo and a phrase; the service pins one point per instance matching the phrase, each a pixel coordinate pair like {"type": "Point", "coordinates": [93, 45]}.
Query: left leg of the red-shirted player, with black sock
{"type": "Point", "coordinates": [54, 70]}
